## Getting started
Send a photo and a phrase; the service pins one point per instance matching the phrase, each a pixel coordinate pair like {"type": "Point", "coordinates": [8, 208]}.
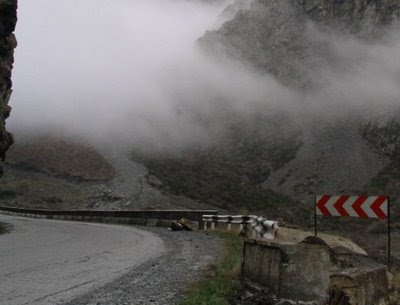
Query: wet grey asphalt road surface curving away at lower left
{"type": "Point", "coordinates": [49, 262]}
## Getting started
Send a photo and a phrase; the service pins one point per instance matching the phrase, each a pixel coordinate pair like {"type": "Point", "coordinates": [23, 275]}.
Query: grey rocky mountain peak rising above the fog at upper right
{"type": "Point", "coordinates": [274, 35]}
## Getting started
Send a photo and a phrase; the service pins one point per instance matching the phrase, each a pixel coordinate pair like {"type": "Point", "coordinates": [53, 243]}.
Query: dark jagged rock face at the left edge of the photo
{"type": "Point", "coordinates": [8, 20]}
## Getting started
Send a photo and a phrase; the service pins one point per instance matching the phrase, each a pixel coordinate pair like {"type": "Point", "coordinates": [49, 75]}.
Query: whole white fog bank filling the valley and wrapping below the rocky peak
{"type": "Point", "coordinates": [129, 71]}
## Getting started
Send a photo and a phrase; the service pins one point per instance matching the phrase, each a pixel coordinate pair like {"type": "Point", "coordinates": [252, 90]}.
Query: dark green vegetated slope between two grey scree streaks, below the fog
{"type": "Point", "coordinates": [230, 174]}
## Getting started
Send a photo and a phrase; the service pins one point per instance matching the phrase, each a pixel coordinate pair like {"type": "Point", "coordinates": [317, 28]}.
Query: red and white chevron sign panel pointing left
{"type": "Point", "coordinates": [353, 206]}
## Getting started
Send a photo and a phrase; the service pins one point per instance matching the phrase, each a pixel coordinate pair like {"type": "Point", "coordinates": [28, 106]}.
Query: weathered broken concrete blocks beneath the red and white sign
{"type": "Point", "coordinates": [311, 272]}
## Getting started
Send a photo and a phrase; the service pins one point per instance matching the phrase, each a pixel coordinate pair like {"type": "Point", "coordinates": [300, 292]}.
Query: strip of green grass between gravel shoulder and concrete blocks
{"type": "Point", "coordinates": [216, 288]}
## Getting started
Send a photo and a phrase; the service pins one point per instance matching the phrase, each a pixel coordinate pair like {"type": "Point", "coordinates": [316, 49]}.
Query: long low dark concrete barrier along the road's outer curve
{"type": "Point", "coordinates": [161, 218]}
